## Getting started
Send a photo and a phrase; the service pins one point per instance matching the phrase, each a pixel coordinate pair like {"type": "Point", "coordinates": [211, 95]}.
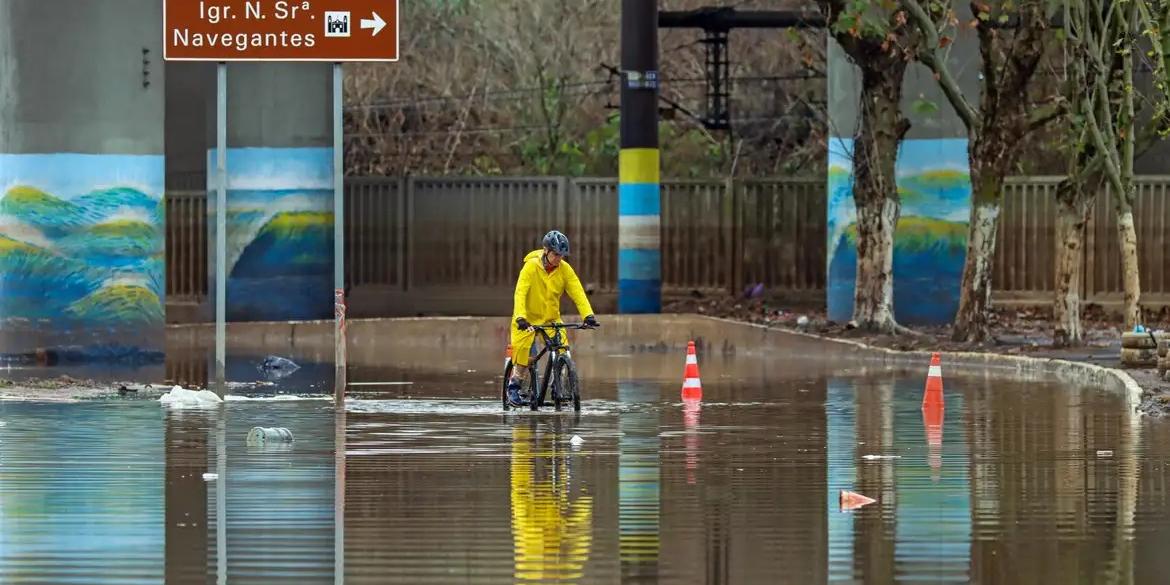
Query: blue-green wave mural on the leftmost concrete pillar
{"type": "Point", "coordinates": [82, 254]}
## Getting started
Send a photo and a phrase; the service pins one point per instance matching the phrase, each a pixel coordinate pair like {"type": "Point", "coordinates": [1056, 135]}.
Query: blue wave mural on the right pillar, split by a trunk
{"type": "Point", "coordinates": [931, 240]}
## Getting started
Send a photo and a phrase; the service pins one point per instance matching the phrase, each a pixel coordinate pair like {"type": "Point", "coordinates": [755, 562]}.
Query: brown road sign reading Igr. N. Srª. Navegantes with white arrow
{"type": "Point", "coordinates": [280, 30]}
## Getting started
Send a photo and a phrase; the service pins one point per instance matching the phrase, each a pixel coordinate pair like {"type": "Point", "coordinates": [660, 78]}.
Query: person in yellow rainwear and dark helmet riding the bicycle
{"type": "Point", "coordinates": [543, 279]}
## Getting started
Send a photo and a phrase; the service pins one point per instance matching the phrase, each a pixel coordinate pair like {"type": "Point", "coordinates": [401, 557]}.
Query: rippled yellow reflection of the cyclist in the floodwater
{"type": "Point", "coordinates": [552, 532]}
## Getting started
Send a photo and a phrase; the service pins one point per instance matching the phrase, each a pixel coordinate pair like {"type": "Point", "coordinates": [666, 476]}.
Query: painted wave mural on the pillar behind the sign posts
{"type": "Point", "coordinates": [280, 233]}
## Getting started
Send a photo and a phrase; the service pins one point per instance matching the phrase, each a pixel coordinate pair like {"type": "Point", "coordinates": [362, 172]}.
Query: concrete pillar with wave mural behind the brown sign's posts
{"type": "Point", "coordinates": [280, 199]}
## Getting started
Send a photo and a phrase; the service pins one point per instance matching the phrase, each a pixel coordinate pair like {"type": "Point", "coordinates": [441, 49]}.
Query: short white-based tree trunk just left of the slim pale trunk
{"type": "Point", "coordinates": [1072, 215]}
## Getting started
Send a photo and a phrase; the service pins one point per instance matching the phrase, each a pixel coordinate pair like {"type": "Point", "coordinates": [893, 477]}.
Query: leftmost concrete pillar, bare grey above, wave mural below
{"type": "Point", "coordinates": [81, 180]}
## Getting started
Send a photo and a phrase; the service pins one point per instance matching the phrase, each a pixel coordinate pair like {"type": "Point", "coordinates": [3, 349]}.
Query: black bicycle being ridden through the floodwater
{"type": "Point", "coordinates": [561, 371]}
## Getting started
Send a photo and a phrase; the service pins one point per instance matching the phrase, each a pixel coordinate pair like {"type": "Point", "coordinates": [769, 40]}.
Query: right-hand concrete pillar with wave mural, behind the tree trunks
{"type": "Point", "coordinates": [933, 174]}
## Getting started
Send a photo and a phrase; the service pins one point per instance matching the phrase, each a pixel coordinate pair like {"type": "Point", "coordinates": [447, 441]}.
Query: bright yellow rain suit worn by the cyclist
{"type": "Point", "coordinates": [538, 300]}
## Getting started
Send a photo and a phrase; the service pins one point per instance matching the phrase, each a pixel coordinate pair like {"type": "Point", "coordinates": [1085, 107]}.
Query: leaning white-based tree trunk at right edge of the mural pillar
{"type": "Point", "coordinates": [988, 170]}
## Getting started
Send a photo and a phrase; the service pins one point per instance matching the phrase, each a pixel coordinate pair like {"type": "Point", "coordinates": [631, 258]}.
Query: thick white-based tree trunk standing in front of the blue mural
{"type": "Point", "coordinates": [880, 129]}
